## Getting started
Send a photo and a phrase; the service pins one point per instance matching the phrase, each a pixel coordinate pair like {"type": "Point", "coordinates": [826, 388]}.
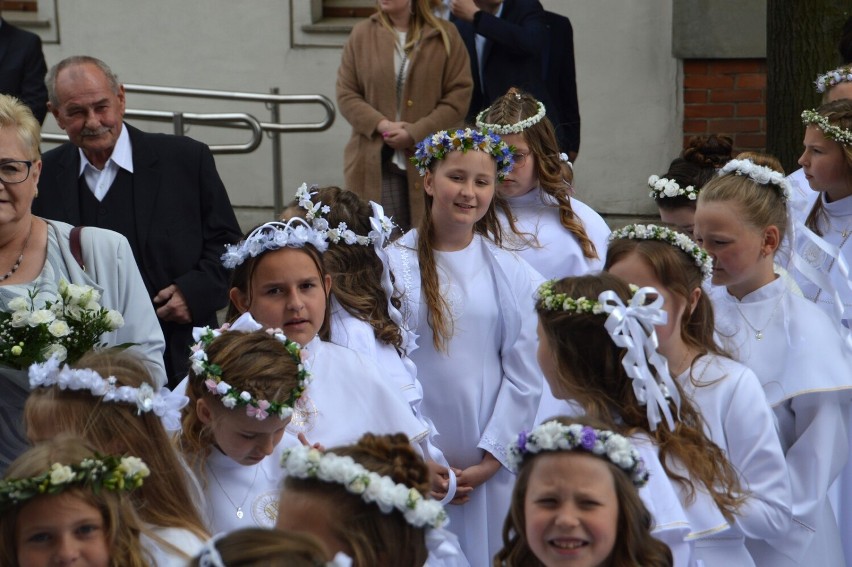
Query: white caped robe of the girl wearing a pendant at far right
{"type": "Point", "coordinates": [804, 369]}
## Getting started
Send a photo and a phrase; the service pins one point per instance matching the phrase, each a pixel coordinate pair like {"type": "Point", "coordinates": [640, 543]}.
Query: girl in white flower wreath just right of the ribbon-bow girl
{"type": "Point", "coordinates": [728, 394]}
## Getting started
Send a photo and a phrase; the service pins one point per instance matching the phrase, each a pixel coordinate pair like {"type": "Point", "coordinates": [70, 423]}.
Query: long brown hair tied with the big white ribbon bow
{"type": "Point", "coordinates": [589, 368]}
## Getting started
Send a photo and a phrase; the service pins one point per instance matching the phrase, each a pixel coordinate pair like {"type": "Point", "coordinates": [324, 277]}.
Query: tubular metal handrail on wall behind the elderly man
{"type": "Point", "coordinates": [274, 128]}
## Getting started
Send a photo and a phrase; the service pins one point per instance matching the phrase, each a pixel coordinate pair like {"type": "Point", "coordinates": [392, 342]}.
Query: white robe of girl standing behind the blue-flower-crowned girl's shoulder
{"type": "Point", "coordinates": [550, 248]}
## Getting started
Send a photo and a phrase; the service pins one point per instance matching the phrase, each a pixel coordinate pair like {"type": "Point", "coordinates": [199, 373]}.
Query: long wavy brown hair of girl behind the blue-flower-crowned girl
{"type": "Point", "coordinates": [554, 176]}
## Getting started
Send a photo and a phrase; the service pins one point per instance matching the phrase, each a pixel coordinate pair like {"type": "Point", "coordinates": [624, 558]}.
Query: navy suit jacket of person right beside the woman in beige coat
{"type": "Point", "coordinates": [513, 53]}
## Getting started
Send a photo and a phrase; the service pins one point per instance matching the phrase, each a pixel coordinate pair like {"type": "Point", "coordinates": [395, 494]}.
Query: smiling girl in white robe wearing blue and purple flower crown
{"type": "Point", "coordinates": [470, 303]}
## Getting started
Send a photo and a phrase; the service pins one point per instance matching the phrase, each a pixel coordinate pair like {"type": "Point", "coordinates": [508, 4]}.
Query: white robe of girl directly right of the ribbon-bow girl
{"type": "Point", "coordinates": [740, 421]}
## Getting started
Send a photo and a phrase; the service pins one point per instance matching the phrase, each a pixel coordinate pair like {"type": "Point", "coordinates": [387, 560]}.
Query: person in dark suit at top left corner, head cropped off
{"type": "Point", "coordinates": [22, 68]}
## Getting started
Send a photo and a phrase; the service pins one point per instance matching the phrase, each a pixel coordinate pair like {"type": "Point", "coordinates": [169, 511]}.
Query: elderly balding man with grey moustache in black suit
{"type": "Point", "coordinates": [162, 192]}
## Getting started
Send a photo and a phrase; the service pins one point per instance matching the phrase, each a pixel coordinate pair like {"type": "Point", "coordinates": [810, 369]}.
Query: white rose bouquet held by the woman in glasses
{"type": "Point", "coordinates": [68, 326]}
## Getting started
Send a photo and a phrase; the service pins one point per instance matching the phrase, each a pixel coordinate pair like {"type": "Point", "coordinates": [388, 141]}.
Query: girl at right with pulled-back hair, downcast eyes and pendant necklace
{"type": "Point", "coordinates": [793, 347]}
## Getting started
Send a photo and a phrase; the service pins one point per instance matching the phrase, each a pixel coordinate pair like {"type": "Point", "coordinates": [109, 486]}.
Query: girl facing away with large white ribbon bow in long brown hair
{"type": "Point", "coordinates": [597, 347]}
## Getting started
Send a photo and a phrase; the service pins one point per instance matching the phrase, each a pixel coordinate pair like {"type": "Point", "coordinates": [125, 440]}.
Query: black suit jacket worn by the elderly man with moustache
{"type": "Point", "coordinates": [183, 221]}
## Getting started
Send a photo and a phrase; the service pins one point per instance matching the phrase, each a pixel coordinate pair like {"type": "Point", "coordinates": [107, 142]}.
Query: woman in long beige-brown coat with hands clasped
{"type": "Point", "coordinates": [404, 74]}
